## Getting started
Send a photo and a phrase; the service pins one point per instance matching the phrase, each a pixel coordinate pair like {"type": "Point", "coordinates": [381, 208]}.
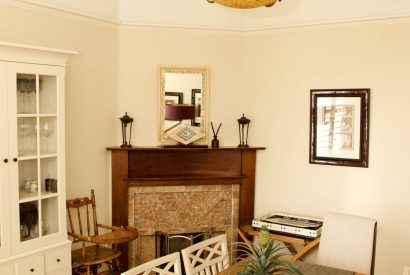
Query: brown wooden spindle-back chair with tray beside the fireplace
{"type": "Point", "coordinates": [96, 249]}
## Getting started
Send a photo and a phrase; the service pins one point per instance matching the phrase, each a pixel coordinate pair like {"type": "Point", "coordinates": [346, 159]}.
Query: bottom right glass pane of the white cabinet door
{"type": "Point", "coordinates": [49, 214]}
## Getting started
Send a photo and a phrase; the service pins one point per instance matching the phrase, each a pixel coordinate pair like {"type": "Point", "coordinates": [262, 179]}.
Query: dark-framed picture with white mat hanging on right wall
{"type": "Point", "coordinates": [339, 127]}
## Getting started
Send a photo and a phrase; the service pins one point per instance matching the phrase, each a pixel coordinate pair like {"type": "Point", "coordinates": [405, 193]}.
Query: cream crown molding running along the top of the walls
{"type": "Point", "coordinates": [214, 30]}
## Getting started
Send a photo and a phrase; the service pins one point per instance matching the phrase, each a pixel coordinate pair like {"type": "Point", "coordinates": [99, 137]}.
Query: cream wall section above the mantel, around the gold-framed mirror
{"type": "Point", "coordinates": [140, 54]}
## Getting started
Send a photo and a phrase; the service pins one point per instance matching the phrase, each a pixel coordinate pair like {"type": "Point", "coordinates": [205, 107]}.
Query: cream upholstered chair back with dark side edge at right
{"type": "Point", "coordinates": [348, 242]}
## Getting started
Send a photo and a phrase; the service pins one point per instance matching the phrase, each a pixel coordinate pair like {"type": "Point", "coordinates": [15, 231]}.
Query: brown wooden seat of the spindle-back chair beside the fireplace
{"type": "Point", "coordinates": [93, 255]}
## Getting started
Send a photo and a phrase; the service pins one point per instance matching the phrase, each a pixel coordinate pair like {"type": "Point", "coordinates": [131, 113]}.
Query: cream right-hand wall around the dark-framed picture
{"type": "Point", "coordinates": [281, 69]}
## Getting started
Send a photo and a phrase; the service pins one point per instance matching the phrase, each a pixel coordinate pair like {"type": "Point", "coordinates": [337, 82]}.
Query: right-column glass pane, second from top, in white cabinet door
{"type": "Point", "coordinates": [48, 135]}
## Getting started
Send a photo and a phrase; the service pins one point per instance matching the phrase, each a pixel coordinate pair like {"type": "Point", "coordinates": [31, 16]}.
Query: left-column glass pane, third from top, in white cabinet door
{"type": "Point", "coordinates": [28, 185]}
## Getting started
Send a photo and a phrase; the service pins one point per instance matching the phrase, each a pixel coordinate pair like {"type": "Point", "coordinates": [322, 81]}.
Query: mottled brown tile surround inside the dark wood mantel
{"type": "Point", "coordinates": [179, 210]}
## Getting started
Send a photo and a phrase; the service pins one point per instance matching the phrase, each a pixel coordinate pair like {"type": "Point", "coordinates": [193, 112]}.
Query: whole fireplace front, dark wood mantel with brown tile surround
{"type": "Point", "coordinates": [180, 190]}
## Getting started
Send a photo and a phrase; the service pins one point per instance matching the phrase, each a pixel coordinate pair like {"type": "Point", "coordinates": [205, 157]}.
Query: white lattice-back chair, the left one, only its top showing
{"type": "Point", "coordinates": [166, 265]}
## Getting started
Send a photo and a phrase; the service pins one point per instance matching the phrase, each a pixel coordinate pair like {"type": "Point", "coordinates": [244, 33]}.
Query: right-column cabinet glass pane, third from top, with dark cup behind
{"type": "Point", "coordinates": [48, 176]}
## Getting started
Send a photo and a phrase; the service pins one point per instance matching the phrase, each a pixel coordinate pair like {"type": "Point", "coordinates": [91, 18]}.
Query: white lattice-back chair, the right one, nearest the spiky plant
{"type": "Point", "coordinates": [207, 257]}
